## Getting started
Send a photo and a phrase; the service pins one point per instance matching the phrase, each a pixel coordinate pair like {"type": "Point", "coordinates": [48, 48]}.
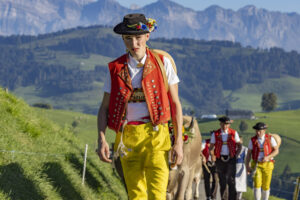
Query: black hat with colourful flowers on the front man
{"type": "Point", "coordinates": [135, 24]}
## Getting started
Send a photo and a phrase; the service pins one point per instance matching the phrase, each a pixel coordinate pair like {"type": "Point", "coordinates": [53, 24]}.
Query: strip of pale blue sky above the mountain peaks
{"type": "Point", "coordinates": [271, 5]}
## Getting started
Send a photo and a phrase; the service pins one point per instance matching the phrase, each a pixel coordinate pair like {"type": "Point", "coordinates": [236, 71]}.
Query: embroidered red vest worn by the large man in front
{"type": "Point", "coordinates": [121, 90]}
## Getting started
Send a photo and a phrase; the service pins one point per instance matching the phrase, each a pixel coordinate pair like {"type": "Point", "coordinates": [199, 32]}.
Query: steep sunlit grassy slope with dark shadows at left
{"type": "Point", "coordinates": [42, 160]}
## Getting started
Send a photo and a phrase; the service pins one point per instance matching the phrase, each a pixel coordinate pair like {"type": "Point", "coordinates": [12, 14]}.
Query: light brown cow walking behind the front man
{"type": "Point", "coordinates": [181, 180]}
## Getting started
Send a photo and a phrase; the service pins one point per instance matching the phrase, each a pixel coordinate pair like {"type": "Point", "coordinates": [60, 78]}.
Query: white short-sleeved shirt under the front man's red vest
{"type": "Point", "coordinates": [137, 110]}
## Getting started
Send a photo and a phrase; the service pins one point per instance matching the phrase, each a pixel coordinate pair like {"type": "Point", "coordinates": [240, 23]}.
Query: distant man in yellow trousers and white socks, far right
{"type": "Point", "coordinates": [262, 148]}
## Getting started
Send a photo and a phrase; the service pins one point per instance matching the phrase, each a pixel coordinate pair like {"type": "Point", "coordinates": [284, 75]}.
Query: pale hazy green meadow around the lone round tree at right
{"type": "Point", "coordinates": [287, 90]}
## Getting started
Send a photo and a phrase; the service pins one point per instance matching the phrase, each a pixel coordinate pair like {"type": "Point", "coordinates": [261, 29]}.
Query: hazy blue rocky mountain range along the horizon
{"type": "Point", "coordinates": [248, 25]}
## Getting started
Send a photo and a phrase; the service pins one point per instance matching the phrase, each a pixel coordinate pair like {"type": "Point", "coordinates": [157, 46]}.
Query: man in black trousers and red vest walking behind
{"type": "Point", "coordinates": [224, 146]}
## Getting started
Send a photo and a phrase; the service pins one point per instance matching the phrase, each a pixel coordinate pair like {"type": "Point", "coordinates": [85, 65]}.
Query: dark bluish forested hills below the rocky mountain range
{"type": "Point", "coordinates": [205, 68]}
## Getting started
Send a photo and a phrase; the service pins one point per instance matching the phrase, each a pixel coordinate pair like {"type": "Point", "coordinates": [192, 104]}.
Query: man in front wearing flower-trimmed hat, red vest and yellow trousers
{"type": "Point", "coordinates": [137, 106]}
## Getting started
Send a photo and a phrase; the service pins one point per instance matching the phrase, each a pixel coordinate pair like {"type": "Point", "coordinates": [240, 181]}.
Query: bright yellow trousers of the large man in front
{"type": "Point", "coordinates": [145, 166]}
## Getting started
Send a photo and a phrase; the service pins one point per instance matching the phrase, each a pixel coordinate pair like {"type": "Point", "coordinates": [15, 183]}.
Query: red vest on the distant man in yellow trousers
{"type": "Point", "coordinates": [256, 148]}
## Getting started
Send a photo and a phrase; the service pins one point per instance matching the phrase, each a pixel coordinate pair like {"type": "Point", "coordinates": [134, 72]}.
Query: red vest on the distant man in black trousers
{"type": "Point", "coordinates": [230, 142]}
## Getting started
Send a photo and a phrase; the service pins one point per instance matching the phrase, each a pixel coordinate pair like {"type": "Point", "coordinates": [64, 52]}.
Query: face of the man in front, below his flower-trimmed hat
{"type": "Point", "coordinates": [136, 44]}
